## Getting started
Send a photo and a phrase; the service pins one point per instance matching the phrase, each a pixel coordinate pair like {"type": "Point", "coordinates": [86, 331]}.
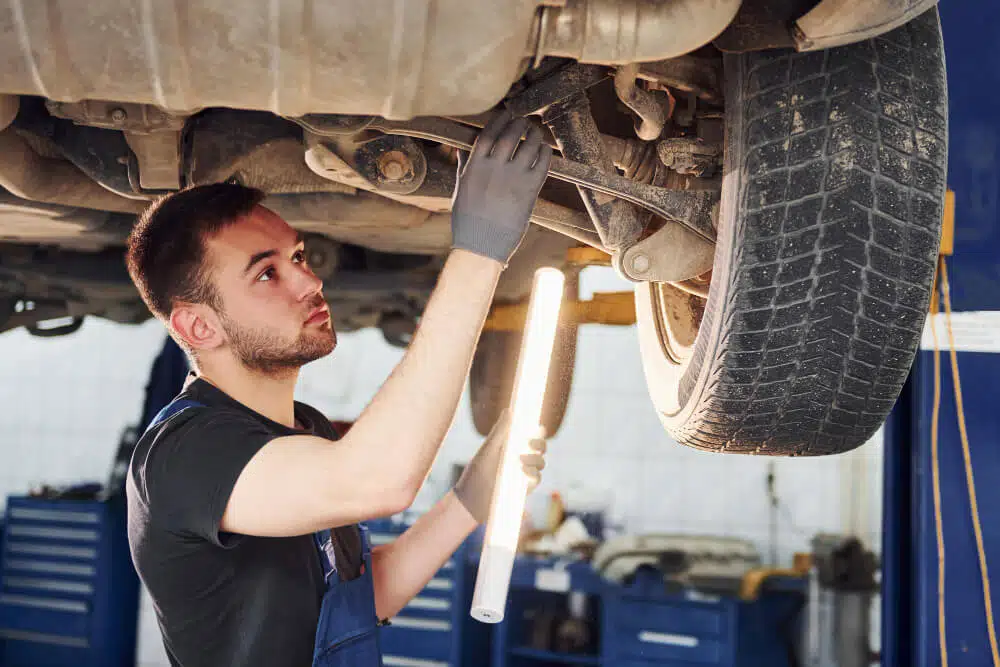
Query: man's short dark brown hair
{"type": "Point", "coordinates": [165, 253]}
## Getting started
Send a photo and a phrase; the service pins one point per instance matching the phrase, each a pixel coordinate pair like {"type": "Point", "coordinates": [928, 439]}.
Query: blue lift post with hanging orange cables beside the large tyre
{"type": "Point", "coordinates": [941, 494]}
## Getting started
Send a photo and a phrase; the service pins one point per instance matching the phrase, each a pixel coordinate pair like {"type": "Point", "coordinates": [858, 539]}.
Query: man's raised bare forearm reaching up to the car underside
{"type": "Point", "coordinates": [410, 415]}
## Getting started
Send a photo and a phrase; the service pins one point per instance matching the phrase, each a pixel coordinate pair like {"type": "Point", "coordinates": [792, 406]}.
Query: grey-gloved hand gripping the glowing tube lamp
{"type": "Point", "coordinates": [475, 487]}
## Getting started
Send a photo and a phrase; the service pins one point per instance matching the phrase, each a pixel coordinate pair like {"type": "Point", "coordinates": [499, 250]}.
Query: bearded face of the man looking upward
{"type": "Point", "coordinates": [271, 305]}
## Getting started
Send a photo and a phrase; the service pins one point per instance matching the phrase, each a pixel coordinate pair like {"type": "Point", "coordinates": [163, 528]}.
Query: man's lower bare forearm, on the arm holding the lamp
{"type": "Point", "coordinates": [402, 569]}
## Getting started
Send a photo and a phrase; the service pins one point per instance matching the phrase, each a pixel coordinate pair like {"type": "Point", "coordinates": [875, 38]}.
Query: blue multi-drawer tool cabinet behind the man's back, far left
{"type": "Point", "coordinates": [68, 590]}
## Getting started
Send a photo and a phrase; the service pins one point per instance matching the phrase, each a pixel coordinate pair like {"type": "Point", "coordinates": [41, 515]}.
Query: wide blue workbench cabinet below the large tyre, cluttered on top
{"type": "Point", "coordinates": [644, 625]}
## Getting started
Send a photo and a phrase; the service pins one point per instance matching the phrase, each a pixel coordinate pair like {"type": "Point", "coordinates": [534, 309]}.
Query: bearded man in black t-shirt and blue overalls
{"type": "Point", "coordinates": [245, 509]}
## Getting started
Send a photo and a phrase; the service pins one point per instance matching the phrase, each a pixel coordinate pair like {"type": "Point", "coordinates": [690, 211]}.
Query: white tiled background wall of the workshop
{"type": "Point", "coordinates": [63, 403]}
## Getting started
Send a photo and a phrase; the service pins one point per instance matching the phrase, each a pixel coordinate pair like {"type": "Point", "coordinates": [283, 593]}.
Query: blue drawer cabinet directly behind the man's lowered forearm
{"type": "Point", "coordinates": [434, 629]}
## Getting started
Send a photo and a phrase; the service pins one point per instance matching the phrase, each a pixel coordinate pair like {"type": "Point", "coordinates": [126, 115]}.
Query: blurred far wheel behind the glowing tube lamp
{"type": "Point", "coordinates": [491, 379]}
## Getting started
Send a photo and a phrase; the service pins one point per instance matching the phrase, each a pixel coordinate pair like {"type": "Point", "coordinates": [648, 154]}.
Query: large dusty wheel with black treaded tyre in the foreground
{"type": "Point", "coordinates": [828, 233]}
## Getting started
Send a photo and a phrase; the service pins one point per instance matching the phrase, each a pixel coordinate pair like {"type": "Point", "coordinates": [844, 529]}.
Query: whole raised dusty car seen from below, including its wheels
{"type": "Point", "coordinates": [768, 175]}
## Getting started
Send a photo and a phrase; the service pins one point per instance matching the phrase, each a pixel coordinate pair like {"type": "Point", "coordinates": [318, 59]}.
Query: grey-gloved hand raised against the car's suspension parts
{"type": "Point", "coordinates": [498, 186]}
